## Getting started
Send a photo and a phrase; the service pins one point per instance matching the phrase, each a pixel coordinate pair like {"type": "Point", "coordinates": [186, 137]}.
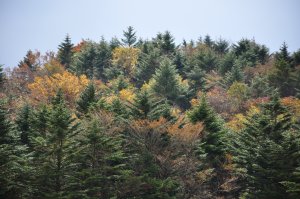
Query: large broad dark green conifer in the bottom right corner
{"type": "Point", "coordinates": [265, 151]}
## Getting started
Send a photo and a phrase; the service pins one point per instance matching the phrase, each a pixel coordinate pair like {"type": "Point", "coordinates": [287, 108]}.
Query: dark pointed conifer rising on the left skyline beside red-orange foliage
{"type": "Point", "coordinates": [65, 52]}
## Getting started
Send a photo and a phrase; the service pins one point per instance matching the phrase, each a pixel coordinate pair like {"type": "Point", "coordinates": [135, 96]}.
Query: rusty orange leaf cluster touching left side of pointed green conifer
{"type": "Point", "coordinates": [184, 130]}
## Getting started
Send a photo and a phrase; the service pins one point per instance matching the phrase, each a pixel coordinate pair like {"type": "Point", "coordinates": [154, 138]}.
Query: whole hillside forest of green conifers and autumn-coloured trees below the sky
{"type": "Point", "coordinates": [133, 118]}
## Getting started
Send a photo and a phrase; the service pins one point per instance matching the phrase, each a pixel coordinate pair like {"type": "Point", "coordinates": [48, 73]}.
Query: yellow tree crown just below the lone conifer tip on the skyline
{"type": "Point", "coordinates": [126, 57]}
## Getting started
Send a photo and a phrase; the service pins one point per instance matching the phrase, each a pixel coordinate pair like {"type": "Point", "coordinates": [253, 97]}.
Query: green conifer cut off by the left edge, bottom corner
{"type": "Point", "coordinates": [13, 161]}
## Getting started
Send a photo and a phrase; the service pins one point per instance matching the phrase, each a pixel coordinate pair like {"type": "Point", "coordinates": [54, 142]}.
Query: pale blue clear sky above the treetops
{"type": "Point", "coordinates": [43, 24]}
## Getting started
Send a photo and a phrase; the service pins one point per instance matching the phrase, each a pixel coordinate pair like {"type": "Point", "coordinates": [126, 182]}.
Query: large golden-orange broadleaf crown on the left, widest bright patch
{"type": "Point", "coordinates": [44, 88]}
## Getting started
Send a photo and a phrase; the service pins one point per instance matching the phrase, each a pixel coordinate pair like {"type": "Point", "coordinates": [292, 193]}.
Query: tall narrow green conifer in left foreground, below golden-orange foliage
{"type": "Point", "coordinates": [53, 151]}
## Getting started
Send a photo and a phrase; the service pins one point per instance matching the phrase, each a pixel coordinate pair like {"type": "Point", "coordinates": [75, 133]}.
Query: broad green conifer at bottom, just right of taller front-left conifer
{"type": "Point", "coordinates": [102, 170]}
